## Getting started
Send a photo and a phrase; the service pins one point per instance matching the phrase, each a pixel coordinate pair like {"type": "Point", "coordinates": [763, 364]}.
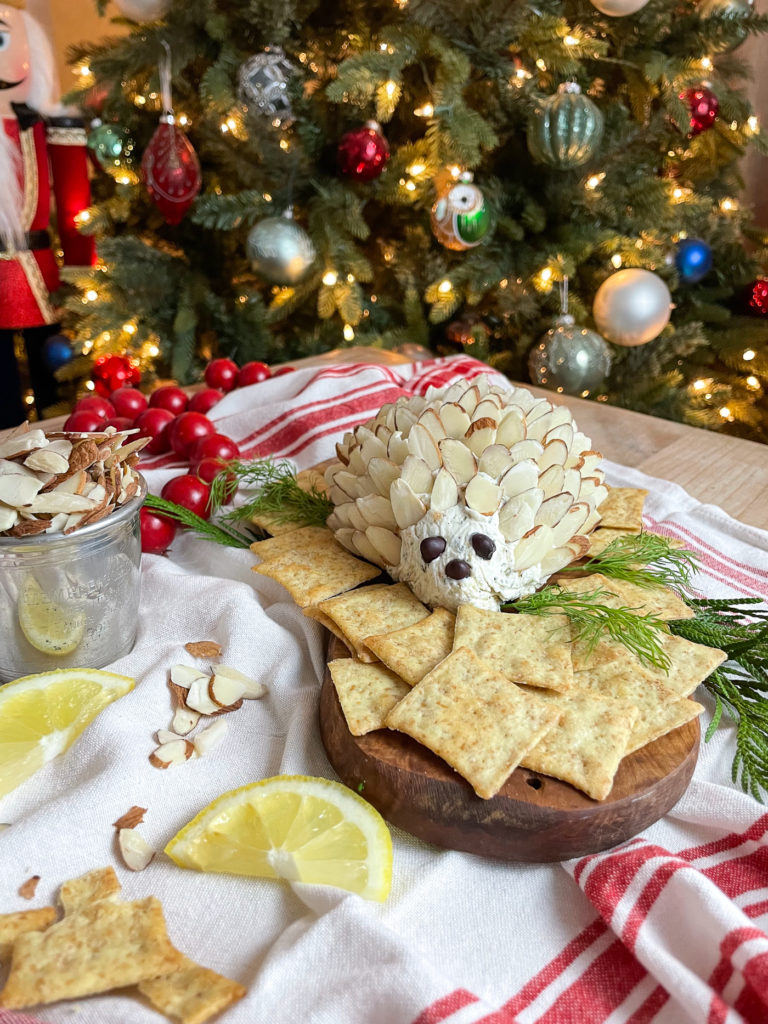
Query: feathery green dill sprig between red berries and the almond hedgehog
{"type": "Point", "coordinates": [279, 495]}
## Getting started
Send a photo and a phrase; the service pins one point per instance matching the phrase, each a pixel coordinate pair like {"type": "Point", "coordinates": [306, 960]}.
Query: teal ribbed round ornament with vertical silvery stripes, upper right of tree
{"type": "Point", "coordinates": [566, 131]}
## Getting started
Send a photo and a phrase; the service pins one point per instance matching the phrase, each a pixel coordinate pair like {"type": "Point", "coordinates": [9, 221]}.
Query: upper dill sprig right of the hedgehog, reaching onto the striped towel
{"type": "Point", "coordinates": [646, 560]}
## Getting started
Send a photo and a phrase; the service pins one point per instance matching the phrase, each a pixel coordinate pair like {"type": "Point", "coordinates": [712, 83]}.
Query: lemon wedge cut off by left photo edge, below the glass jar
{"type": "Point", "coordinates": [41, 716]}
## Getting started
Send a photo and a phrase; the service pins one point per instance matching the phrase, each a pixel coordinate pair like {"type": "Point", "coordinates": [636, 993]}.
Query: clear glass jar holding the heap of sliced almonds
{"type": "Point", "coordinates": [71, 601]}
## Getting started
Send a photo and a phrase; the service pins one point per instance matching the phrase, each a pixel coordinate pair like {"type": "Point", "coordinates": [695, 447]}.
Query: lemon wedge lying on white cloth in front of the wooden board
{"type": "Point", "coordinates": [294, 828]}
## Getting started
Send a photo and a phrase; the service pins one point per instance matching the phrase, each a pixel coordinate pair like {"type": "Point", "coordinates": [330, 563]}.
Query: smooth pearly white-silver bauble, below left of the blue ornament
{"type": "Point", "coordinates": [632, 307]}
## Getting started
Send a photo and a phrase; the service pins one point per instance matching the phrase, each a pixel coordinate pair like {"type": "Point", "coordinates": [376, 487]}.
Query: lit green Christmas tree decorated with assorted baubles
{"type": "Point", "coordinates": [337, 145]}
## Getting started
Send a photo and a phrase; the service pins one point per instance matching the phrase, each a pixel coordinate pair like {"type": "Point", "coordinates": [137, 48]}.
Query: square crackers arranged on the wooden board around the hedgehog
{"type": "Point", "coordinates": [487, 691]}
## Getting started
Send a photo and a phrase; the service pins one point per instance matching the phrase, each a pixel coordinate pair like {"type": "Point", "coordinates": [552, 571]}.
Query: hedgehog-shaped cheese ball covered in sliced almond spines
{"type": "Point", "coordinates": [472, 495]}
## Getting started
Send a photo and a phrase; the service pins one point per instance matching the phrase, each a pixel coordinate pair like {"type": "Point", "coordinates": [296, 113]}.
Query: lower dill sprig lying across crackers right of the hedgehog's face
{"type": "Point", "coordinates": [593, 619]}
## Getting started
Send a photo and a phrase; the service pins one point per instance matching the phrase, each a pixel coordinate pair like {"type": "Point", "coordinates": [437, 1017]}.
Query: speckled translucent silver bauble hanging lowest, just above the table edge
{"type": "Point", "coordinates": [570, 360]}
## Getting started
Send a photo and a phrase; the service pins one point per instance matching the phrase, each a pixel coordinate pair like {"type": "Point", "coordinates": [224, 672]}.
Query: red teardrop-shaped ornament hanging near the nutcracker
{"type": "Point", "coordinates": [172, 170]}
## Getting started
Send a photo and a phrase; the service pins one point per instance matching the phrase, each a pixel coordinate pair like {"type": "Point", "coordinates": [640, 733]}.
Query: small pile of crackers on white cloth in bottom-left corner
{"type": "Point", "coordinates": [103, 944]}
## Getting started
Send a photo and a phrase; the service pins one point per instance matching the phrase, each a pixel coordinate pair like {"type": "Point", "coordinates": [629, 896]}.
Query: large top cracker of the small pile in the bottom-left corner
{"type": "Point", "coordinates": [104, 946]}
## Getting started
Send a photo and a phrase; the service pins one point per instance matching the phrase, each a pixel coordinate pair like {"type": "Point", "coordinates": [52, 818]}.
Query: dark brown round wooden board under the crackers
{"type": "Point", "coordinates": [534, 818]}
